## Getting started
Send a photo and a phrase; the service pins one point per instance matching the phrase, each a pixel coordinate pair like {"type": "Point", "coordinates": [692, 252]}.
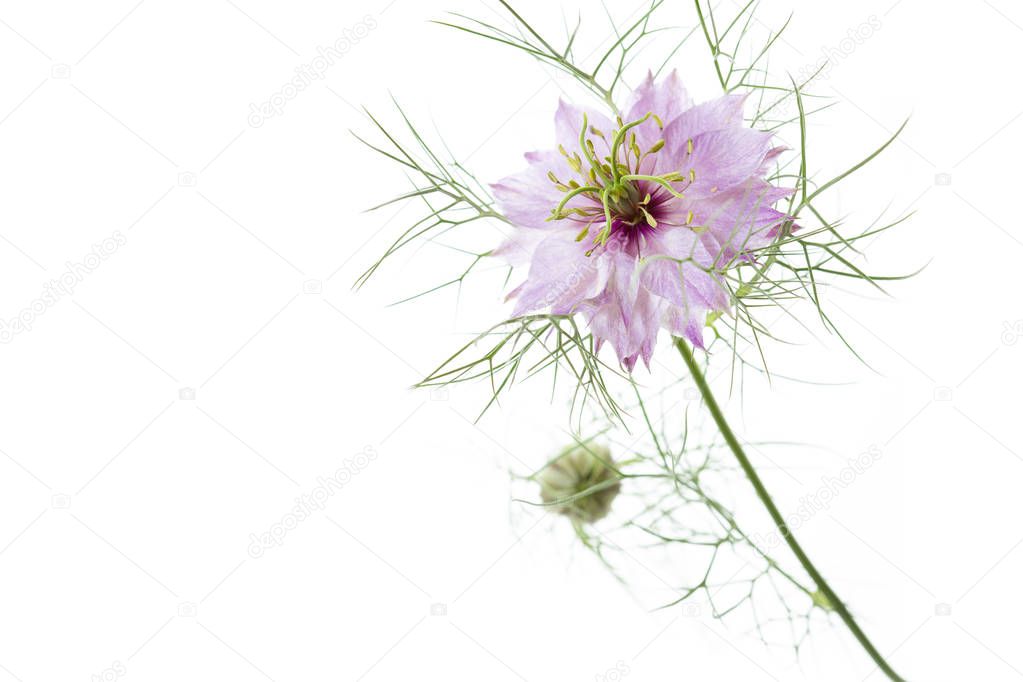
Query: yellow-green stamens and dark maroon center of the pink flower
{"type": "Point", "coordinates": [619, 195]}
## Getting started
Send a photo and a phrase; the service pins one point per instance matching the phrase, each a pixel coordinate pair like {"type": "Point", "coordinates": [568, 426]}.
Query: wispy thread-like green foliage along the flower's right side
{"type": "Point", "coordinates": [811, 250]}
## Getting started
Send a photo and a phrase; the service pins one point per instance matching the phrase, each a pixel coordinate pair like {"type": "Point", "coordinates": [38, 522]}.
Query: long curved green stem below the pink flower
{"type": "Point", "coordinates": [776, 515]}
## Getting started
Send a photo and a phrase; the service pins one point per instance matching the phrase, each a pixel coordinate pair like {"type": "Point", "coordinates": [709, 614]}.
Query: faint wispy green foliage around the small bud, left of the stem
{"type": "Point", "coordinates": [673, 521]}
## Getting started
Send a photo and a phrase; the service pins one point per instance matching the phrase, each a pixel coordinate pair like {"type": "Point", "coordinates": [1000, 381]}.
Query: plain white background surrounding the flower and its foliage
{"type": "Point", "coordinates": [127, 511]}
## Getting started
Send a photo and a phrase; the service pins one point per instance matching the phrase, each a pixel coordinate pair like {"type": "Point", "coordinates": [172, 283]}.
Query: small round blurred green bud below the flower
{"type": "Point", "coordinates": [582, 483]}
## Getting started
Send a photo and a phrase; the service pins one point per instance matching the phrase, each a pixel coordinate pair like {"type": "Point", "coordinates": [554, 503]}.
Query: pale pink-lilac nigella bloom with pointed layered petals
{"type": "Point", "coordinates": [633, 223]}
